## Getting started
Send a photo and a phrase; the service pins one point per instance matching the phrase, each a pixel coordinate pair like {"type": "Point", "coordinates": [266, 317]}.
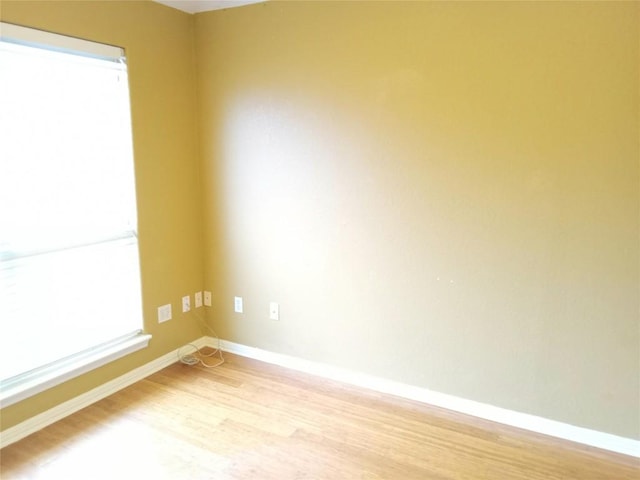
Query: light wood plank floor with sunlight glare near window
{"type": "Point", "coordinates": [250, 420]}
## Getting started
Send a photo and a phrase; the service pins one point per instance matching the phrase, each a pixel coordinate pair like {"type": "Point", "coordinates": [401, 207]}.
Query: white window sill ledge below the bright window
{"type": "Point", "coordinates": [42, 379]}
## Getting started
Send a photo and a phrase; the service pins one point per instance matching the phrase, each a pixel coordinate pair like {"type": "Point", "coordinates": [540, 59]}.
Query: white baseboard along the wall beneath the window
{"type": "Point", "coordinates": [38, 422]}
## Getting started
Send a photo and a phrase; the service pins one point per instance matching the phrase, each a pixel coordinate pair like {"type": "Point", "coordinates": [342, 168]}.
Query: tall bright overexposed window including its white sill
{"type": "Point", "coordinates": [70, 294]}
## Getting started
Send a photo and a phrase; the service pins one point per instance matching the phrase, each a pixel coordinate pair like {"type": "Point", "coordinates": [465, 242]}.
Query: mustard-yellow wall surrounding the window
{"type": "Point", "coordinates": [159, 46]}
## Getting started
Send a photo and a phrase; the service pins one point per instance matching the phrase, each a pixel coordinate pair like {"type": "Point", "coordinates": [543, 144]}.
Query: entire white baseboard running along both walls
{"type": "Point", "coordinates": [606, 441]}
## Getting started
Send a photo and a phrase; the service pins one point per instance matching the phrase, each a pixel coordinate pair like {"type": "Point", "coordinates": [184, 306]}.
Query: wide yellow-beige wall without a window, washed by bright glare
{"type": "Point", "coordinates": [443, 194]}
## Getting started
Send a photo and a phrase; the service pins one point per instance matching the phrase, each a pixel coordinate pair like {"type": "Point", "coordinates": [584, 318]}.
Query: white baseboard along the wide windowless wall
{"type": "Point", "coordinates": [585, 436]}
